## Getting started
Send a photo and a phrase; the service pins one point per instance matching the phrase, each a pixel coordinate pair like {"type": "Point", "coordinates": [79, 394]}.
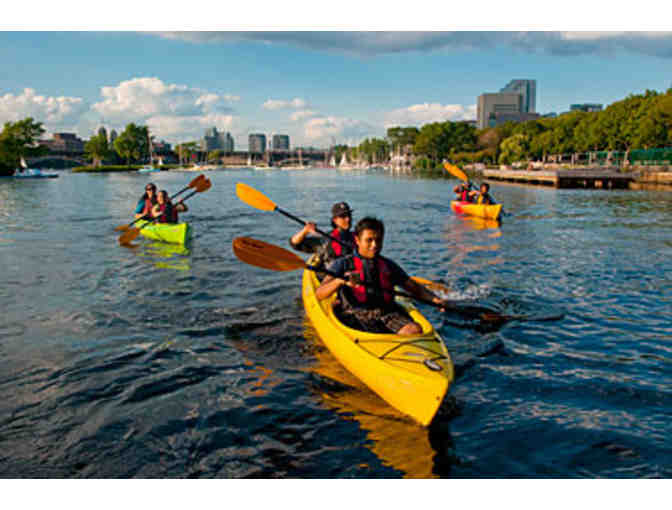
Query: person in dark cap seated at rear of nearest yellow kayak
{"type": "Point", "coordinates": [327, 249]}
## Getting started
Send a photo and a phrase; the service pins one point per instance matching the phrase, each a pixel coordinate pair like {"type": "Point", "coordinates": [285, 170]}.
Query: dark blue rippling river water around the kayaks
{"type": "Point", "coordinates": [154, 361]}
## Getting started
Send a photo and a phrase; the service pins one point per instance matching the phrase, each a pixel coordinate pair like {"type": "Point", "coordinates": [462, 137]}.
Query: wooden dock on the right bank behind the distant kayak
{"type": "Point", "coordinates": [600, 178]}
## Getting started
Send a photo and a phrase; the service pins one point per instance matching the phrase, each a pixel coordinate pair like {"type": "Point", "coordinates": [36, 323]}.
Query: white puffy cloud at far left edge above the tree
{"type": "Point", "coordinates": [55, 112]}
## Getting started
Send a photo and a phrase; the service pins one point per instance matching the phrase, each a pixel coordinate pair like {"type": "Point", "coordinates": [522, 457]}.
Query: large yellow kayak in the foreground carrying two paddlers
{"type": "Point", "coordinates": [411, 373]}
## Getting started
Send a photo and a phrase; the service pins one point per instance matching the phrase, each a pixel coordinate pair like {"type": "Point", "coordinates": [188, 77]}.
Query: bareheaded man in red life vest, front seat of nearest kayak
{"type": "Point", "coordinates": [371, 307]}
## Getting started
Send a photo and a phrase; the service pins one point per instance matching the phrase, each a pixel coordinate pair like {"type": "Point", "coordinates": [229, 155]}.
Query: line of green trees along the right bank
{"type": "Point", "coordinates": [640, 121]}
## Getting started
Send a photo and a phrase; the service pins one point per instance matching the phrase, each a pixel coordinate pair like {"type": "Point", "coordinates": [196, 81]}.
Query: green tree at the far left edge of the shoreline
{"type": "Point", "coordinates": [17, 140]}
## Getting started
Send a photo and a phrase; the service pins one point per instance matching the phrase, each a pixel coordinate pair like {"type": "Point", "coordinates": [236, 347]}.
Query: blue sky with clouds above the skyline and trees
{"type": "Point", "coordinates": [320, 87]}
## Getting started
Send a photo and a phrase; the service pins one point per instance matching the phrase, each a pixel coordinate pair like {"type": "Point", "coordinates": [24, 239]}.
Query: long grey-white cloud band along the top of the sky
{"type": "Point", "coordinates": [387, 42]}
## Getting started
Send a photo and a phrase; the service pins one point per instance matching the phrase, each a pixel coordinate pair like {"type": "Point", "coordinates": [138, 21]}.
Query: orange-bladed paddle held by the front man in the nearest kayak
{"type": "Point", "coordinates": [268, 256]}
